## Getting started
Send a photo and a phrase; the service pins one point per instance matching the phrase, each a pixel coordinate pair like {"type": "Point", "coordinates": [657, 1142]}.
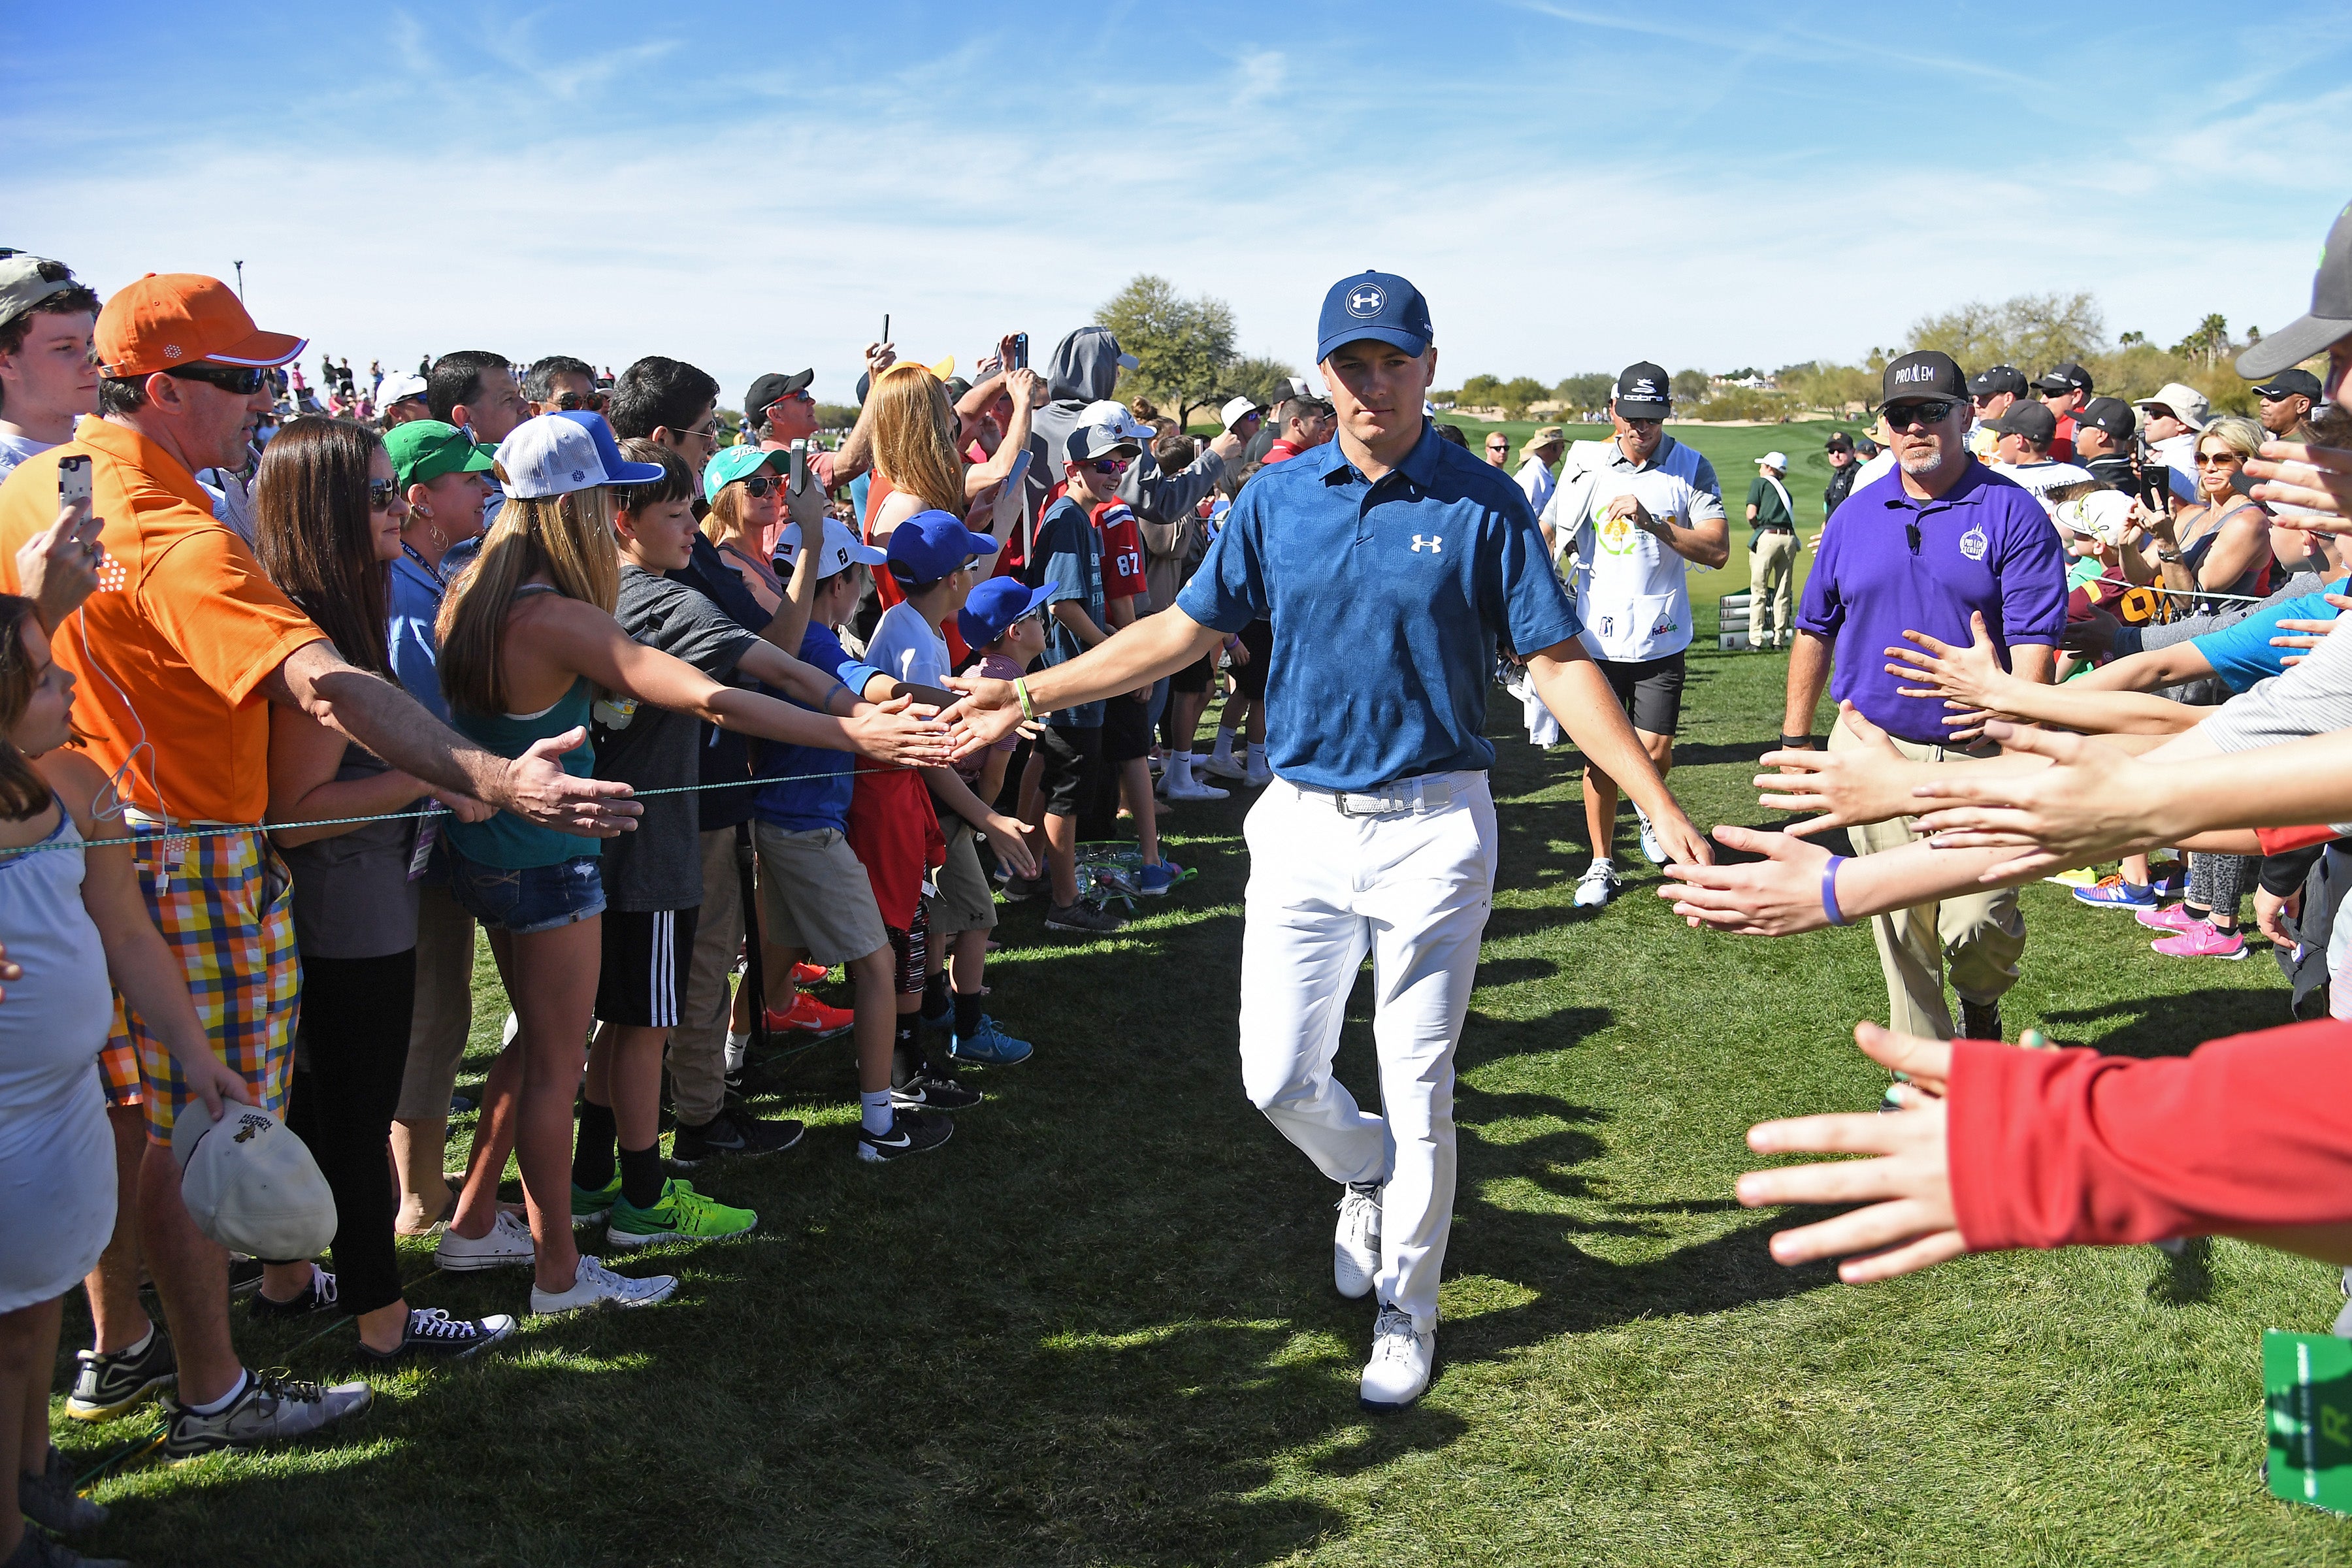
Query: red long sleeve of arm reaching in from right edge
{"type": "Point", "coordinates": [2059, 1148]}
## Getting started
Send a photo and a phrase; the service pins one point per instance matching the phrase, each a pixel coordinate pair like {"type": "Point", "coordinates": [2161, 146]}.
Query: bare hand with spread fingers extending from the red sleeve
{"type": "Point", "coordinates": [1909, 1221]}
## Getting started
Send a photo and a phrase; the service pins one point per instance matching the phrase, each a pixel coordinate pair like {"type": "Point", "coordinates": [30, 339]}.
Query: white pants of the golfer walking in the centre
{"type": "Point", "coordinates": [1325, 890]}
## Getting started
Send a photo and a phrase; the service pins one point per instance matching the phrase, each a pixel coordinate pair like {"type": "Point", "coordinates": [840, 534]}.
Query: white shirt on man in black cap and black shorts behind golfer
{"type": "Point", "coordinates": [1631, 589]}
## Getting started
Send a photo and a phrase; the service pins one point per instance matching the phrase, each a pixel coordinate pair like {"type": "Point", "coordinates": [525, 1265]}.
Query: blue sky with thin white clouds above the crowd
{"type": "Point", "coordinates": [1572, 185]}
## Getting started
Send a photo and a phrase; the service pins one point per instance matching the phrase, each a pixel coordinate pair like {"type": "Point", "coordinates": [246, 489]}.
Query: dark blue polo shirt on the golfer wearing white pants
{"type": "Point", "coordinates": [1387, 603]}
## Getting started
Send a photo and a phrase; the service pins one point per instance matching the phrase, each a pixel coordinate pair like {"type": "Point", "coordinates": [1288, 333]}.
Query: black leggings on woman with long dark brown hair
{"type": "Point", "coordinates": [354, 1045]}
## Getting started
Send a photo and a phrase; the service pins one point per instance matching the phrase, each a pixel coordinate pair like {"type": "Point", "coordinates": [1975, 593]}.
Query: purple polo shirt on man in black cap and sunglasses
{"type": "Point", "coordinates": [1984, 547]}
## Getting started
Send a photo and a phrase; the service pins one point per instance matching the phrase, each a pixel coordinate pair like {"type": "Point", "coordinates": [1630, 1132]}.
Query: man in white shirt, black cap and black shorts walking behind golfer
{"type": "Point", "coordinates": [1633, 516]}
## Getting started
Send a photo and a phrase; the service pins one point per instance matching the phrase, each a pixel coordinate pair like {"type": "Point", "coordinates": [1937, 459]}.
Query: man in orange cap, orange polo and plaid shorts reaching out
{"type": "Point", "coordinates": [178, 657]}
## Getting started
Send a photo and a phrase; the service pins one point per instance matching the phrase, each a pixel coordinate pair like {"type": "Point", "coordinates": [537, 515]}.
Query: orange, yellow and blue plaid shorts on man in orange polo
{"type": "Point", "coordinates": [229, 916]}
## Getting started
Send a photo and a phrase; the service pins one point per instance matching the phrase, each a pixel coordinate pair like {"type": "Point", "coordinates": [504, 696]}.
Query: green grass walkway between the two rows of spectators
{"type": "Point", "coordinates": [1100, 1327]}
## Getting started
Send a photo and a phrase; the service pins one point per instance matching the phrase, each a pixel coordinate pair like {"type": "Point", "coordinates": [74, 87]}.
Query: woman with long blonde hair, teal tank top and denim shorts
{"type": "Point", "coordinates": [528, 643]}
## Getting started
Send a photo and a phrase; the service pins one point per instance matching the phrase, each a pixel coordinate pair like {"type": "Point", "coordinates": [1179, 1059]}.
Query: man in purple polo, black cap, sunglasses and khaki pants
{"type": "Point", "coordinates": [1923, 549]}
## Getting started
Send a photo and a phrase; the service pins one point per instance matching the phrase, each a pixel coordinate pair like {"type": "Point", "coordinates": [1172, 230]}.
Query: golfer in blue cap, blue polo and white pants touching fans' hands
{"type": "Point", "coordinates": [1389, 565]}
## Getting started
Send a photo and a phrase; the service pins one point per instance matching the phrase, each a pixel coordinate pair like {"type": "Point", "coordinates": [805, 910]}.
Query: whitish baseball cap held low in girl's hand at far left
{"type": "Point", "coordinates": [250, 1184]}
